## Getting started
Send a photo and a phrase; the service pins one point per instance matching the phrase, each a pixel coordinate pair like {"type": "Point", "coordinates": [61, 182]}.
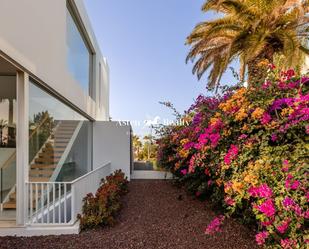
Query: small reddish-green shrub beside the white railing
{"type": "Point", "coordinates": [100, 209]}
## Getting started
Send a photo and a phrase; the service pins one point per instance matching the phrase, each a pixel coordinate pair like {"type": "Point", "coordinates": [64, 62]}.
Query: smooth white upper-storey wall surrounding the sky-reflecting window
{"type": "Point", "coordinates": [33, 33]}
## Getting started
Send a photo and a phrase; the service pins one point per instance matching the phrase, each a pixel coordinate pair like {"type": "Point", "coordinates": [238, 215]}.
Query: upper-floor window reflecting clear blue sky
{"type": "Point", "coordinates": [78, 54]}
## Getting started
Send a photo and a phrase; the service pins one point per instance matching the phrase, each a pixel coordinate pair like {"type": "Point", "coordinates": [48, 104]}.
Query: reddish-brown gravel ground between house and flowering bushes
{"type": "Point", "coordinates": [153, 217]}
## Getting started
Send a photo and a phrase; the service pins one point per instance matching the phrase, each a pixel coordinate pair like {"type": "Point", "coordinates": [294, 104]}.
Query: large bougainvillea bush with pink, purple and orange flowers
{"type": "Point", "coordinates": [248, 150]}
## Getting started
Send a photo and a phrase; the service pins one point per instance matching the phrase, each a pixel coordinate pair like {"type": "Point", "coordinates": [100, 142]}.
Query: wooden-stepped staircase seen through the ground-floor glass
{"type": "Point", "coordinates": [45, 162]}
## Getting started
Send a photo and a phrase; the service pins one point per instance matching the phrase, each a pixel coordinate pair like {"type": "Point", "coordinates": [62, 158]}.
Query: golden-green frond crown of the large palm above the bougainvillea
{"type": "Point", "coordinates": [252, 31]}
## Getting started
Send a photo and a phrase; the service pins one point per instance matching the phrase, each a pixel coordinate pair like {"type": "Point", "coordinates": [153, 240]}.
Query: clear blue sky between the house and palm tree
{"type": "Point", "coordinates": [143, 41]}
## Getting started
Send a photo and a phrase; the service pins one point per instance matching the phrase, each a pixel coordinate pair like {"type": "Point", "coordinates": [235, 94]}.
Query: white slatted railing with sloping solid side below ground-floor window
{"type": "Point", "coordinates": [58, 203]}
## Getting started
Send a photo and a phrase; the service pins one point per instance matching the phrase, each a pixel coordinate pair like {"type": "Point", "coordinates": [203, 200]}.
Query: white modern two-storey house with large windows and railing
{"type": "Point", "coordinates": [56, 140]}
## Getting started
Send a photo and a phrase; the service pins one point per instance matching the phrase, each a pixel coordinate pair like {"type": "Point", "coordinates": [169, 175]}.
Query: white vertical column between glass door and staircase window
{"type": "Point", "coordinates": [22, 151]}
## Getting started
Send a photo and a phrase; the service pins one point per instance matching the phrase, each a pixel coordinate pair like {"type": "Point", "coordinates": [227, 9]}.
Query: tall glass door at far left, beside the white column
{"type": "Point", "coordinates": [7, 148]}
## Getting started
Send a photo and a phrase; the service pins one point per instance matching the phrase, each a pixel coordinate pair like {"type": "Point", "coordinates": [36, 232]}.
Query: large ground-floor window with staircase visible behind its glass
{"type": "Point", "coordinates": [60, 143]}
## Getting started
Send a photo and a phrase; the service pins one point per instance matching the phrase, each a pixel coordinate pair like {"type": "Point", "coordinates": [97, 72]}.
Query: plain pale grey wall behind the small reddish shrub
{"type": "Point", "coordinates": [111, 143]}
